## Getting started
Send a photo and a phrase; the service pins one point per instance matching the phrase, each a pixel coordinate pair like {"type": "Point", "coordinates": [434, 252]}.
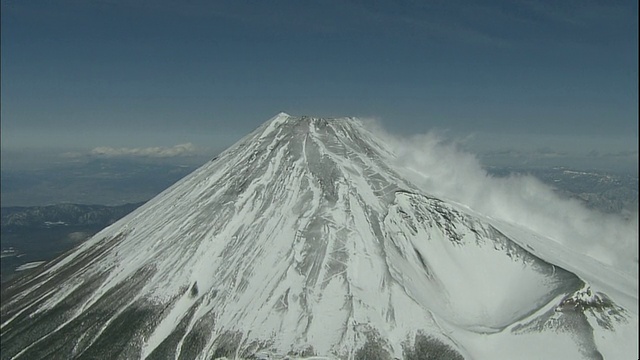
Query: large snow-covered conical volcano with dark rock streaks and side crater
{"type": "Point", "coordinates": [302, 240]}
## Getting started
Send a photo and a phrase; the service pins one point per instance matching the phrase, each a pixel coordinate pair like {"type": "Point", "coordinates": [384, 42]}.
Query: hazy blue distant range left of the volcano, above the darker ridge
{"type": "Point", "coordinates": [95, 181]}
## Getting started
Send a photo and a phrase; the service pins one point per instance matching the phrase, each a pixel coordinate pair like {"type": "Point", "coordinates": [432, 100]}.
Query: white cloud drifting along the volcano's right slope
{"type": "Point", "coordinates": [441, 168]}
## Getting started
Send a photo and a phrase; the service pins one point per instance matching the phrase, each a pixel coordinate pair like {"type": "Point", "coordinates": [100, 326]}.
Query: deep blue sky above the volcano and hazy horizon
{"type": "Point", "coordinates": [558, 76]}
